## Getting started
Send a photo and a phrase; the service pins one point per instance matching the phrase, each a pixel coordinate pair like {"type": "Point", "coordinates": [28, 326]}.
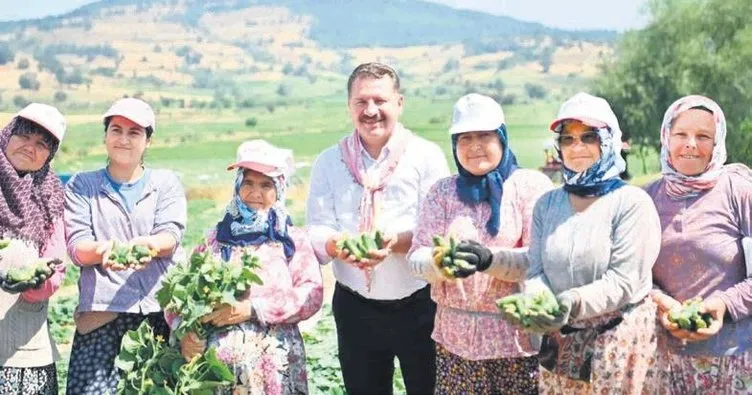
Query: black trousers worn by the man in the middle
{"type": "Point", "coordinates": [370, 333]}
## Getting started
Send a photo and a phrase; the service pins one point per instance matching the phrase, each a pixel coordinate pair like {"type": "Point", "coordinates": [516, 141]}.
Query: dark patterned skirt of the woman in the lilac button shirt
{"type": "Point", "coordinates": [92, 363]}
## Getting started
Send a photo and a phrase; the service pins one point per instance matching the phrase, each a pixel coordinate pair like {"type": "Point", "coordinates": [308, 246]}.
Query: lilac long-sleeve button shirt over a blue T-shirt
{"type": "Point", "coordinates": [93, 211]}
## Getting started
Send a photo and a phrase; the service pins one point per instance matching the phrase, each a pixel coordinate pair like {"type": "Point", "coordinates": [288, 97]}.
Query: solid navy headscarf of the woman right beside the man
{"type": "Point", "coordinates": [490, 186]}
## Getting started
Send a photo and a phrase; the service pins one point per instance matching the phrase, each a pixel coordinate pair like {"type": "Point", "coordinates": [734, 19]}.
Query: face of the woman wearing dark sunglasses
{"type": "Point", "coordinates": [580, 146]}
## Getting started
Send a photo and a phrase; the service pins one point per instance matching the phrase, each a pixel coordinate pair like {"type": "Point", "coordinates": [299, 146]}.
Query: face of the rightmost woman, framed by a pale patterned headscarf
{"type": "Point", "coordinates": [691, 141]}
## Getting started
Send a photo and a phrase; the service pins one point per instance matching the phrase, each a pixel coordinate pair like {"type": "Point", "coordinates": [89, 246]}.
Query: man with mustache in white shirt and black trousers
{"type": "Point", "coordinates": [375, 179]}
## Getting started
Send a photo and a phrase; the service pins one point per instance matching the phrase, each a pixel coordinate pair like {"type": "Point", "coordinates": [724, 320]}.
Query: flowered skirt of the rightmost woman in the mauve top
{"type": "Point", "coordinates": [730, 375]}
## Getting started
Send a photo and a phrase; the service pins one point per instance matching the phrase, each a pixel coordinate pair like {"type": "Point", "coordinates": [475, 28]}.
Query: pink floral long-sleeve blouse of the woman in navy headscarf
{"type": "Point", "coordinates": [470, 326]}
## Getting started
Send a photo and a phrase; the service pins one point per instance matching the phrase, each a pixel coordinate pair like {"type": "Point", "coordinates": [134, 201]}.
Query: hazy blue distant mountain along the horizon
{"type": "Point", "coordinates": [363, 23]}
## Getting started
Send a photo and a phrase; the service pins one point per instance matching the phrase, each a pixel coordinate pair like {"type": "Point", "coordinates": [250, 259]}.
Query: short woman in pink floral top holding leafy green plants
{"type": "Point", "coordinates": [259, 337]}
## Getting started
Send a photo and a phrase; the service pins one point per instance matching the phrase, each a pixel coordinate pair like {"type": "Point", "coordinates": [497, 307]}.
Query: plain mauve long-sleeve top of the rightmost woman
{"type": "Point", "coordinates": [702, 255]}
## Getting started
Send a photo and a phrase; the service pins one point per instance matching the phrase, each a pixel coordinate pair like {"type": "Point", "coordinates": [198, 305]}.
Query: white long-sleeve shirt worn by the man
{"type": "Point", "coordinates": [333, 207]}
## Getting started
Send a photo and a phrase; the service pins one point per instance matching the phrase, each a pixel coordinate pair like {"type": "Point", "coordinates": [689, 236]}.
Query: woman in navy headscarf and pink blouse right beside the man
{"type": "Point", "coordinates": [490, 201]}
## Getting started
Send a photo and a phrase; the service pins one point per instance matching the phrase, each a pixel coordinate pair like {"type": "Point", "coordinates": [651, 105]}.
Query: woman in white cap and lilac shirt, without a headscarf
{"type": "Point", "coordinates": [124, 202]}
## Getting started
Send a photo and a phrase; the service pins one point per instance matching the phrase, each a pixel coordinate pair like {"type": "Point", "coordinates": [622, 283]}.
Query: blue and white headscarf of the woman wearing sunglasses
{"type": "Point", "coordinates": [603, 176]}
